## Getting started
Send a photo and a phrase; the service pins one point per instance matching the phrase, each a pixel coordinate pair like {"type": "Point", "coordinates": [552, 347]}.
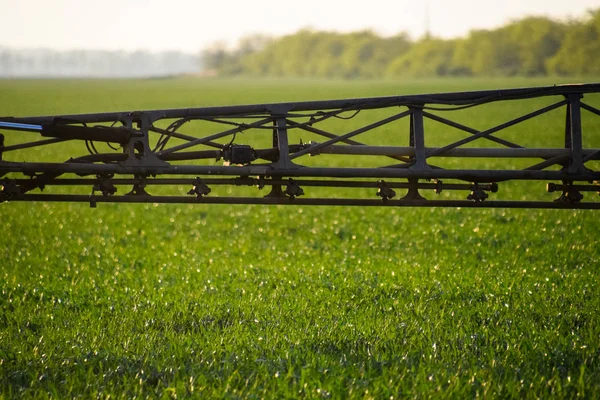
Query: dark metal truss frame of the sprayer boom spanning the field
{"type": "Point", "coordinates": [145, 154]}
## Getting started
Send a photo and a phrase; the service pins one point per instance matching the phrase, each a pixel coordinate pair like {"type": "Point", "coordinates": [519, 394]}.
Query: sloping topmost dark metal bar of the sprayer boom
{"type": "Point", "coordinates": [455, 98]}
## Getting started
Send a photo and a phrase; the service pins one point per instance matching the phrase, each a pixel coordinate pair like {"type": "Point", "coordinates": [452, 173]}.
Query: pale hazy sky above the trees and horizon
{"type": "Point", "coordinates": [189, 25]}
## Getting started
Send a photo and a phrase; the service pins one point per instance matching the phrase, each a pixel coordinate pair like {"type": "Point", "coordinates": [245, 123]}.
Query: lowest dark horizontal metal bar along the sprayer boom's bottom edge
{"type": "Point", "coordinates": [305, 202]}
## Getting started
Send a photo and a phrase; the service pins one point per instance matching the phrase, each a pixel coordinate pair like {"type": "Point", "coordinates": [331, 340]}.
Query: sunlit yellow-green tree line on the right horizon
{"type": "Point", "coordinates": [532, 46]}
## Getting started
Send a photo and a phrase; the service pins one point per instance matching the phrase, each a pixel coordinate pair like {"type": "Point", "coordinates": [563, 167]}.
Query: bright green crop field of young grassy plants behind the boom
{"type": "Point", "coordinates": [215, 301]}
